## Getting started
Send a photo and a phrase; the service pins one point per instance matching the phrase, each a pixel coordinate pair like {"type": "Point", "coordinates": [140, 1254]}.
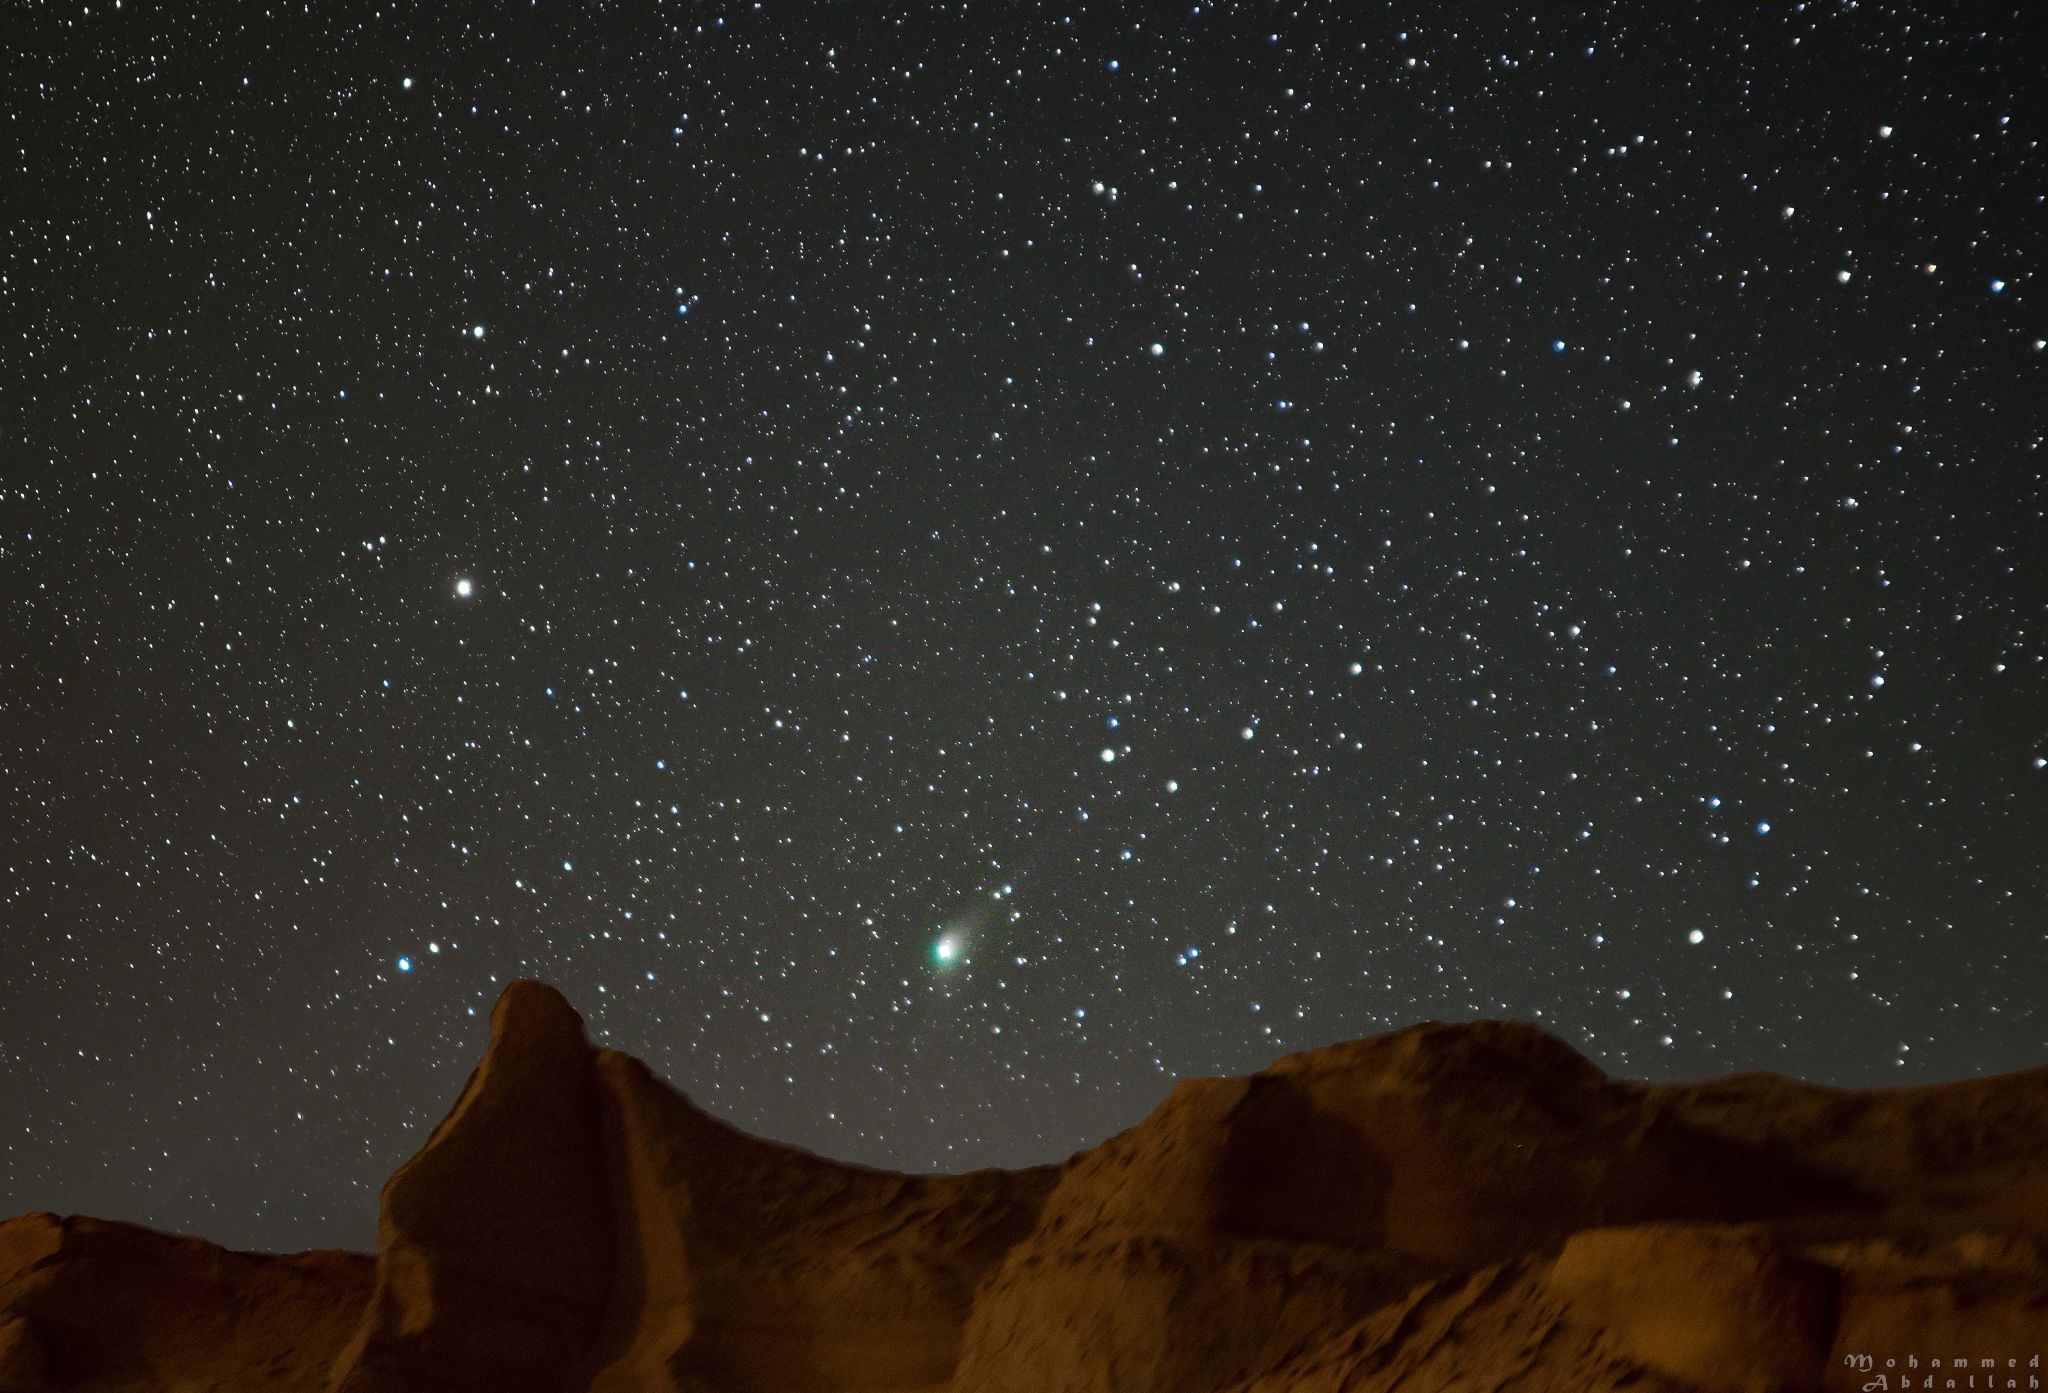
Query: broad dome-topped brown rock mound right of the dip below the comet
{"type": "Point", "coordinates": [1248, 1220]}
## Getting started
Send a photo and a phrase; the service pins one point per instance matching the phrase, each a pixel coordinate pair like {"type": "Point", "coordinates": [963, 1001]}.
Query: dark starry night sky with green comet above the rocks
{"type": "Point", "coordinates": [939, 571]}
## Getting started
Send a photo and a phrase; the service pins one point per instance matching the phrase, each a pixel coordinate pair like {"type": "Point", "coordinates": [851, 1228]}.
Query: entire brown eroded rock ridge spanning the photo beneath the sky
{"type": "Point", "coordinates": [1451, 1206]}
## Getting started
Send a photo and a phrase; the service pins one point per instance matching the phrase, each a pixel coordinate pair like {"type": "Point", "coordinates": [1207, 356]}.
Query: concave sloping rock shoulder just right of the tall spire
{"type": "Point", "coordinates": [759, 1267]}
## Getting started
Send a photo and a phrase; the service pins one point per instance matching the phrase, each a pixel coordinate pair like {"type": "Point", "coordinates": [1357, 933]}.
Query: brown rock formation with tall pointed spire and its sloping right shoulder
{"type": "Point", "coordinates": [579, 1224]}
